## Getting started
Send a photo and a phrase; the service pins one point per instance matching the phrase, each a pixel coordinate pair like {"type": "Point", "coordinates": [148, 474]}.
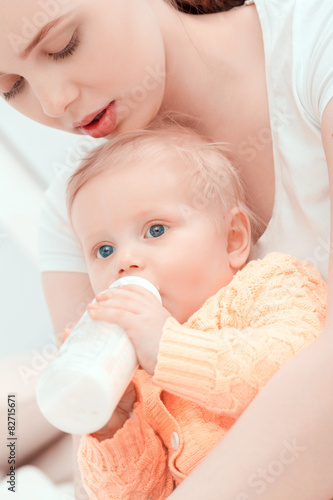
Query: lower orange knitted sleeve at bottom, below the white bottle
{"type": "Point", "coordinates": [132, 464]}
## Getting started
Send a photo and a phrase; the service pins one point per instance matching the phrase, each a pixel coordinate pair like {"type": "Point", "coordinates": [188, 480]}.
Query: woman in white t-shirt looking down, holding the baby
{"type": "Point", "coordinates": [259, 77]}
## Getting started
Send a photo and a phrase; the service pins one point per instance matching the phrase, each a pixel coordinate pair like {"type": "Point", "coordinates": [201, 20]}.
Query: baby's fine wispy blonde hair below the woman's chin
{"type": "Point", "coordinates": [211, 179]}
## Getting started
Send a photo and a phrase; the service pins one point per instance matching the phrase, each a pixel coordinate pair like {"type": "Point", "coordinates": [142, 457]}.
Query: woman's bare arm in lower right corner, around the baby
{"type": "Point", "coordinates": [282, 445]}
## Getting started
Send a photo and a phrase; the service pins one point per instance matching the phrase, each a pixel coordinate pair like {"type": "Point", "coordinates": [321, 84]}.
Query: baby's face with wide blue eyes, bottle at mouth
{"type": "Point", "coordinates": [139, 220]}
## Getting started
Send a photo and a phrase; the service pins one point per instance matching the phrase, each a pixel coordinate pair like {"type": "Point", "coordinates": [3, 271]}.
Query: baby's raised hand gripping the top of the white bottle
{"type": "Point", "coordinates": [140, 314]}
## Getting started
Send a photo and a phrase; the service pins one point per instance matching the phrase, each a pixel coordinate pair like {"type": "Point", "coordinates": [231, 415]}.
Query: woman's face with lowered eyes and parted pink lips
{"type": "Point", "coordinates": [64, 62]}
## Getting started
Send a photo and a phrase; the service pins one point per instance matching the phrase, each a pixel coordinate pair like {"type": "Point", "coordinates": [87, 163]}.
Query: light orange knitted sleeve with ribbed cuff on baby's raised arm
{"type": "Point", "coordinates": [228, 350]}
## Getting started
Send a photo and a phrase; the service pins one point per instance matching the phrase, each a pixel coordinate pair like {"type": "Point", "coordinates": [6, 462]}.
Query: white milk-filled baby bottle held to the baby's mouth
{"type": "Point", "coordinates": [81, 387]}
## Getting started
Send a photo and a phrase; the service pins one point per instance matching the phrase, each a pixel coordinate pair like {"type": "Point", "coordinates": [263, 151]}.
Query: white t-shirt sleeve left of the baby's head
{"type": "Point", "coordinates": [59, 250]}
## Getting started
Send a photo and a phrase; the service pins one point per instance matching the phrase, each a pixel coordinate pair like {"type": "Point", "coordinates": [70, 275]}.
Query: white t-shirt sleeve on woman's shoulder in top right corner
{"type": "Point", "coordinates": [314, 30]}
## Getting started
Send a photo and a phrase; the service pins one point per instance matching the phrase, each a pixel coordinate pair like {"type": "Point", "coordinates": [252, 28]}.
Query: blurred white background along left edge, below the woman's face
{"type": "Point", "coordinates": [28, 156]}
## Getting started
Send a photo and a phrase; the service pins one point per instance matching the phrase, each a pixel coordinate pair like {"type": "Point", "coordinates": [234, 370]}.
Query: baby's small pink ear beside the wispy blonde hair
{"type": "Point", "coordinates": [238, 237]}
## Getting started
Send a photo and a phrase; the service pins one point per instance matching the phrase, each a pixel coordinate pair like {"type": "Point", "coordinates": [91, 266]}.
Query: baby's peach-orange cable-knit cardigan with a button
{"type": "Point", "coordinates": [208, 371]}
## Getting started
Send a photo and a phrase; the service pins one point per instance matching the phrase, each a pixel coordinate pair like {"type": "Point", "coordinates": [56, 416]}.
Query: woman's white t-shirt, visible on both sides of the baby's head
{"type": "Point", "coordinates": [298, 41]}
